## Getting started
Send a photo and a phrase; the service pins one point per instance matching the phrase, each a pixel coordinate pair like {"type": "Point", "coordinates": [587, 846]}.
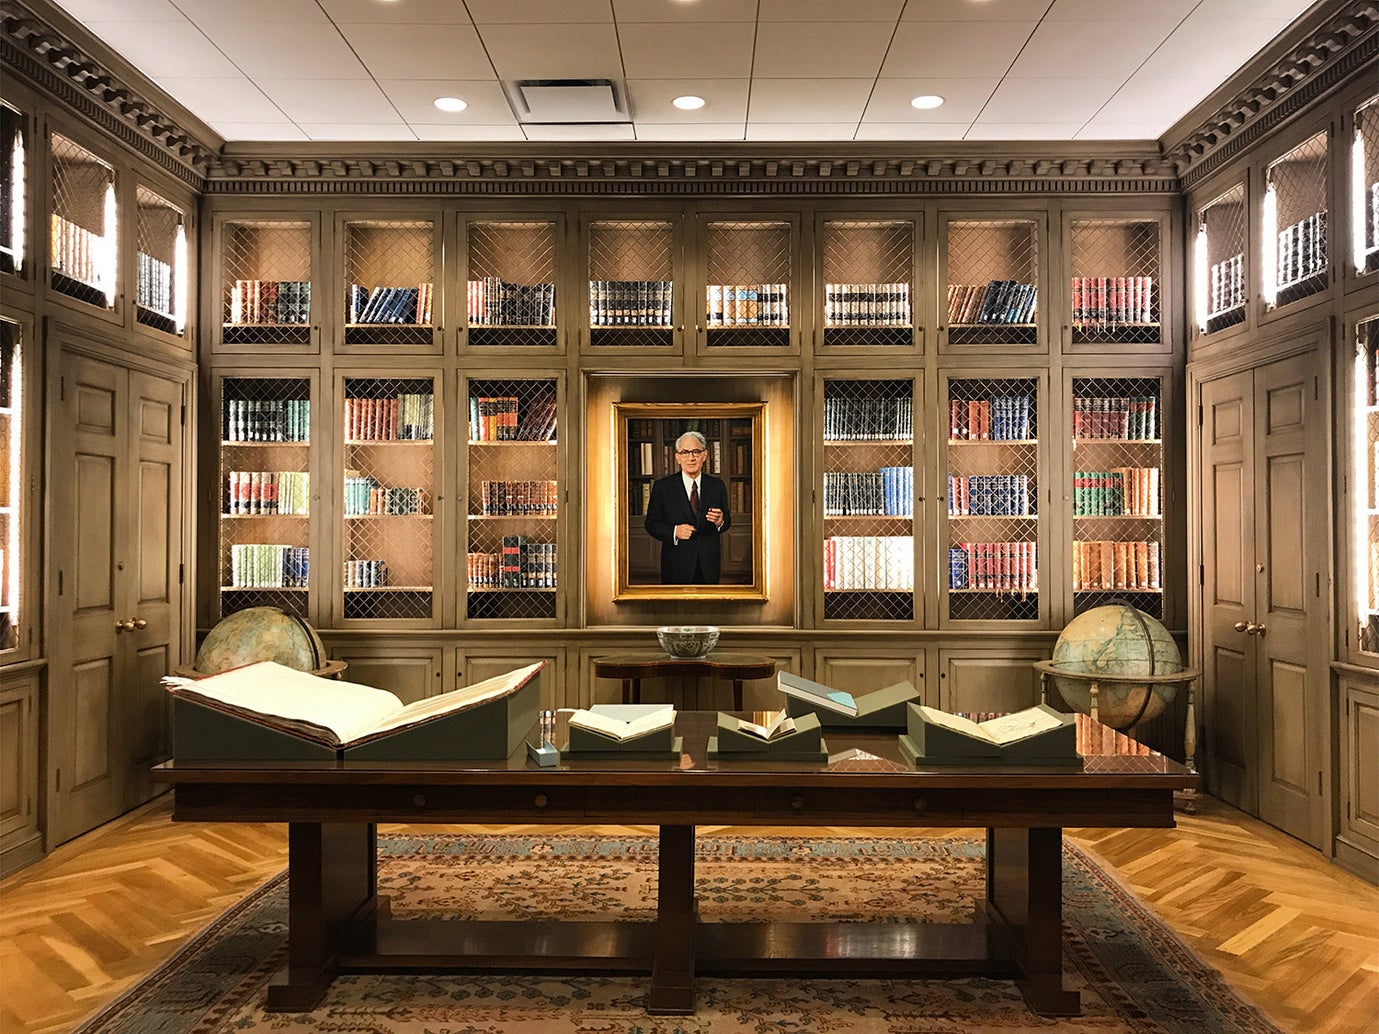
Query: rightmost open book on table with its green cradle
{"type": "Point", "coordinates": [1034, 737]}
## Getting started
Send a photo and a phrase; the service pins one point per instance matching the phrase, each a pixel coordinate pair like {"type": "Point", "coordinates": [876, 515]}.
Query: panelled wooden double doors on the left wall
{"type": "Point", "coordinates": [117, 554]}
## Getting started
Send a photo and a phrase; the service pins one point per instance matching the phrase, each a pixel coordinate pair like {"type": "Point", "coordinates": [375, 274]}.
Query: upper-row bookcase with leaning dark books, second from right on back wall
{"type": "Point", "coordinates": [992, 274]}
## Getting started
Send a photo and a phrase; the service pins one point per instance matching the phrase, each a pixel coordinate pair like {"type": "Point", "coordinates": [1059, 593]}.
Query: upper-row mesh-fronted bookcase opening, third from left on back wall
{"type": "Point", "coordinates": [511, 286]}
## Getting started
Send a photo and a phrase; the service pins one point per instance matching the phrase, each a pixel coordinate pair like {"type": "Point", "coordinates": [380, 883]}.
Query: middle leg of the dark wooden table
{"type": "Point", "coordinates": [672, 971]}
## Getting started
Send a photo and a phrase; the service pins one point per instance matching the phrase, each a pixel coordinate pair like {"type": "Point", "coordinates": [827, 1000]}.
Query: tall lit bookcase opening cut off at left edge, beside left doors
{"type": "Point", "coordinates": [13, 617]}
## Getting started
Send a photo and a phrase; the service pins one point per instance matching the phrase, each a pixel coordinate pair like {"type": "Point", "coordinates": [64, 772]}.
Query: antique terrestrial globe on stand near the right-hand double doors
{"type": "Point", "coordinates": [1116, 642]}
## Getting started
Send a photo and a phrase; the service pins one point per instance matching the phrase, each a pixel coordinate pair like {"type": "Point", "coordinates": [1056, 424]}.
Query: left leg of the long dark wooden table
{"type": "Point", "coordinates": [333, 882]}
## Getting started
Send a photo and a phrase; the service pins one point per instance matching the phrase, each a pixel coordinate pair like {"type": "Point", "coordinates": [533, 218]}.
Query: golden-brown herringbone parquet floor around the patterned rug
{"type": "Point", "coordinates": [1291, 933]}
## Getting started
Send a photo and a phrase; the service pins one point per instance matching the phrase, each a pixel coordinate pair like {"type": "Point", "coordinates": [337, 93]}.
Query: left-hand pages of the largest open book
{"type": "Point", "coordinates": [293, 701]}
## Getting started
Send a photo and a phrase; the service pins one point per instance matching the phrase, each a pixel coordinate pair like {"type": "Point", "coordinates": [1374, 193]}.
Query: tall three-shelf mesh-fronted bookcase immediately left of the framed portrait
{"type": "Point", "coordinates": [514, 500]}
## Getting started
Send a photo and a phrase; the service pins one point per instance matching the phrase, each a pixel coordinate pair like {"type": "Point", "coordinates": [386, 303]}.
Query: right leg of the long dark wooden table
{"type": "Point", "coordinates": [1025, 909]}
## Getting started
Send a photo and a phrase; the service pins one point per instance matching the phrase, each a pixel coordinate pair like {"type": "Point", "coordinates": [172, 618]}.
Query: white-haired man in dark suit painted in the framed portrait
{"type": "Point", "coordinates": [687, 514]}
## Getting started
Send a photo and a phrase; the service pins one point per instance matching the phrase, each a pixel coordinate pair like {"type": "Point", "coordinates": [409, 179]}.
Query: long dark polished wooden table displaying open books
{"type": "Point", "coordinates": [339, 923]}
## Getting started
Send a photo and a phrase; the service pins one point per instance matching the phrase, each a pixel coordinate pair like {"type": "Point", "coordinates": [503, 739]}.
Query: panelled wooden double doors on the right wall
{"type": "Point", "coordinates": [1264, 509]}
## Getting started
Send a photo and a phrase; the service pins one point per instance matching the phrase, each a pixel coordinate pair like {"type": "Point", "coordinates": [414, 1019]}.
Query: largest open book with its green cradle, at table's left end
{"type": "Point", "coordinates": [268, 712]}
